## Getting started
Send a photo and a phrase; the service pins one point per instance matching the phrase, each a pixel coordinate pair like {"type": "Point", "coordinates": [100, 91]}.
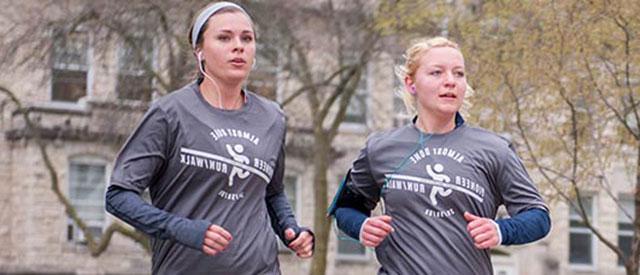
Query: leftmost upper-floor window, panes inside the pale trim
{"type": "Point", "coordinates": [70, 66]}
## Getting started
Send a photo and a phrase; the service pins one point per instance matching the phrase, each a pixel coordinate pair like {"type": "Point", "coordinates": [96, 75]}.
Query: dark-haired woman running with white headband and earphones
{"type": "Point", "coordinates": [212, 156]}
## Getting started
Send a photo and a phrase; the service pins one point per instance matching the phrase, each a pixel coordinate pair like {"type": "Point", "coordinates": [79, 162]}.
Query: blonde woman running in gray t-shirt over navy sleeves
{"type": "Point", "coordinates": [440, 179]}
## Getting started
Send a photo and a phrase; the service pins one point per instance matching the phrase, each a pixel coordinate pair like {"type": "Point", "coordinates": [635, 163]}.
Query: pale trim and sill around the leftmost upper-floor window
{"type": "Point", "coordinates": [81, 103]}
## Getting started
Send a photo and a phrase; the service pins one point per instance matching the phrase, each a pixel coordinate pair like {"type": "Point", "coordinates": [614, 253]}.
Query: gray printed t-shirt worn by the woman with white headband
{"type": "Point", "coordinates": [209, 164]}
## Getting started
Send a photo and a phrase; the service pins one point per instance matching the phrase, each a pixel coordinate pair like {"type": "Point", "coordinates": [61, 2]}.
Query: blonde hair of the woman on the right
{"type": "Point", "coordinates": [411, 64]}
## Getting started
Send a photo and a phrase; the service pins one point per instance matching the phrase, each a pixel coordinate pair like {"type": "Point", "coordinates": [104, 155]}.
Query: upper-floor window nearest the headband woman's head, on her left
{"type": "Point", "coordinates": [134, 64]}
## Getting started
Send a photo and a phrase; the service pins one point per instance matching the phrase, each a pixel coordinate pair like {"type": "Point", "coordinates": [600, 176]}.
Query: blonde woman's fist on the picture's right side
{"type": "Point", "coordinates": [483, 231]}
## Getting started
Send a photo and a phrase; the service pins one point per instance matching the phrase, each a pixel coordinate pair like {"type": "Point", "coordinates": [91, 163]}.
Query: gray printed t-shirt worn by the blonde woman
{"type": "Point", "coordinates": [427, 182]}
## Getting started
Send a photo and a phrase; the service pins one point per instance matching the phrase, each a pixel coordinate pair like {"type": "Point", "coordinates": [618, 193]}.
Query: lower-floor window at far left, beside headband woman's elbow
{"type": "Point", "coordinates": [87, 181]}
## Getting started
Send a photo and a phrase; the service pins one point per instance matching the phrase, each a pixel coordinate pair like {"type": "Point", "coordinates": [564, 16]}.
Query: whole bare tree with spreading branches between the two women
{"type": "Point", "coordinates": [323, 48]}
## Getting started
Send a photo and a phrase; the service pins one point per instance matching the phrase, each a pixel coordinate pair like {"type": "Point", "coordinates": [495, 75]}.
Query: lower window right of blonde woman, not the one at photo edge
{"type": "Point", "coordinates": [581, 241]}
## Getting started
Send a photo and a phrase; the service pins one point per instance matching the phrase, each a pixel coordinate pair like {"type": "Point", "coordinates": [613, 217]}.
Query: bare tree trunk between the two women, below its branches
{"type": "Point", "coordinates": [321, 223]}
